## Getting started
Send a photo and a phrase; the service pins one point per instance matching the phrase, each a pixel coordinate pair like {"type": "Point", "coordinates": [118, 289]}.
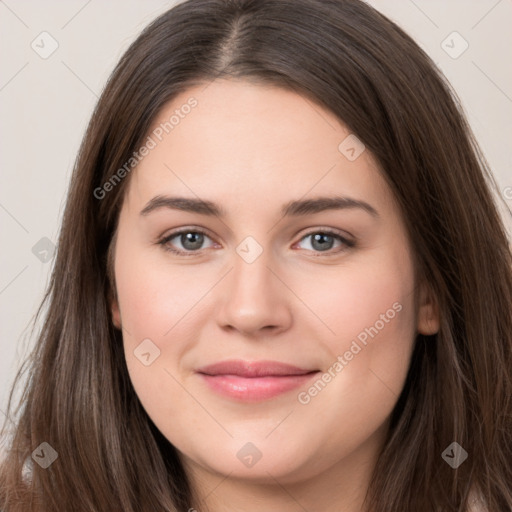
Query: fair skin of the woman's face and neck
{"type": "Point", "coordinates": [250, 149]}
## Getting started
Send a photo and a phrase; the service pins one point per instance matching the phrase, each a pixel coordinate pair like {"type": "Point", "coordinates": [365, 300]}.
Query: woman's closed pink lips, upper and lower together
{"type": "Point", "coordinates": [254, 381]}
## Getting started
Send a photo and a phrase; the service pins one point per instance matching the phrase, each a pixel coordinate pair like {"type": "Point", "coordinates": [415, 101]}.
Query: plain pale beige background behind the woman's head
{"type": "Point", "coordinates": [45, 104]}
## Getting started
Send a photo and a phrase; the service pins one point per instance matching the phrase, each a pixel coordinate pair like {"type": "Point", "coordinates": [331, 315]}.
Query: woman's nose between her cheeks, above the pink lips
{"type": "Point", "coordinates": [255, 298]}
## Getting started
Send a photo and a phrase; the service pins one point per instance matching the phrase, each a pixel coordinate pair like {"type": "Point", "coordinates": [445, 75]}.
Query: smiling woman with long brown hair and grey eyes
{"type": "Point", "coordinates": [281, 281]}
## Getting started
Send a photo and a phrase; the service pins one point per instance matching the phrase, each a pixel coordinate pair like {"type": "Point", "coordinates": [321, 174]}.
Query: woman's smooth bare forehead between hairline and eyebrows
{"type": "Point", "coordinates": [239, 142]}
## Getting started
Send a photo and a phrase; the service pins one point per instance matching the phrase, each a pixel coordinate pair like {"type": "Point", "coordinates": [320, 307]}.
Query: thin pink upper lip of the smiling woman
{"type": "Point", "coordinates": [253, 368]}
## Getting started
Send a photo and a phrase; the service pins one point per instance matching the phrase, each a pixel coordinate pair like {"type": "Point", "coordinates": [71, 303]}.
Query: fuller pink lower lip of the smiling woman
{"type": "Point", "coordinates": [255, 389]}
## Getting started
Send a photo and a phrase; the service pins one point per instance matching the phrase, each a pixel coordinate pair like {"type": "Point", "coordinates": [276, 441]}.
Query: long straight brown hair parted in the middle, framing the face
{"type": "Point", "coordinates": [347, 57]}
